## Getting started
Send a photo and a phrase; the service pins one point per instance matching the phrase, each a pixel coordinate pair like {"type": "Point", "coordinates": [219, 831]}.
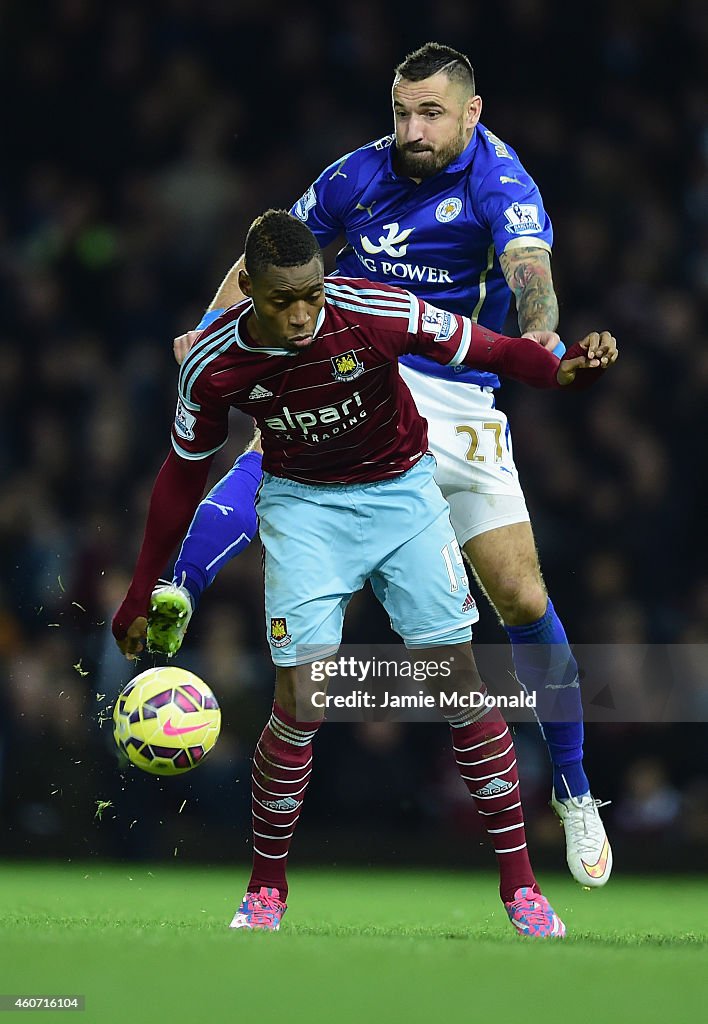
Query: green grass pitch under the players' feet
{"type": "Point", "coordinates": [148, 946]}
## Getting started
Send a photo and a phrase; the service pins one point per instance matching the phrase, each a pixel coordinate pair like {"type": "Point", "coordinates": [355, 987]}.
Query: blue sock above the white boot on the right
{"type": "Point", "coordinates": [546, 666]}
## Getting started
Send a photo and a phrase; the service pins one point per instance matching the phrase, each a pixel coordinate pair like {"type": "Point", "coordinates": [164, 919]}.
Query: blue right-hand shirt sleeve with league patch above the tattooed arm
{"type": "Point", "coordinates": [511, 204]}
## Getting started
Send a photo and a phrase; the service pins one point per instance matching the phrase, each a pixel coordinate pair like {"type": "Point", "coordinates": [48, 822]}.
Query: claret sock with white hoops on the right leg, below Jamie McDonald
{"type": "Point", "coordinates": [487, 761]}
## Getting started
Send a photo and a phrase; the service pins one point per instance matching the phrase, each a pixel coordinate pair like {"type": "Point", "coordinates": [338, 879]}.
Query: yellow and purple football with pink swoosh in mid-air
{"type": "Point", "coordinates": [166, 721]}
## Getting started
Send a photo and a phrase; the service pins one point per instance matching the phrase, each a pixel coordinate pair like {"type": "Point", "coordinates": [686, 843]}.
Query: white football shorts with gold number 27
{"type": "Point", "coordinates": [472, 443]}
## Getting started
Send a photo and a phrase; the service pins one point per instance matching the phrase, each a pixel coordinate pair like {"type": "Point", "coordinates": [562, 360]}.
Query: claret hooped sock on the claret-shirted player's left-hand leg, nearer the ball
{"type": "Point", "coordinates": [282, 766]}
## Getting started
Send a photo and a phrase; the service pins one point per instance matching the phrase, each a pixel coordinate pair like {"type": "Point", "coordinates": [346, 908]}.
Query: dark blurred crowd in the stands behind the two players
{"type": "Point", "coordinates": [140, 140]}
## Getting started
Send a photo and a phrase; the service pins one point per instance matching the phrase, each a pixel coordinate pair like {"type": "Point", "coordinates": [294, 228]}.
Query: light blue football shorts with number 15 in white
{"type": "Point", "coordinates": [322, 543]}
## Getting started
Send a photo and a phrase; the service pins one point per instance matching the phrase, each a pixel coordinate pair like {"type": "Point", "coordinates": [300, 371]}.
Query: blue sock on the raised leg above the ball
{"type": "Point", "coordinates": [224, 526]}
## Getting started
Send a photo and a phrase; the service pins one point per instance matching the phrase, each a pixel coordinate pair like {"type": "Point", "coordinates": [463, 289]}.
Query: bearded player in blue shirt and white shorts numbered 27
{"type": "Point", "coordinates": [446, 208]}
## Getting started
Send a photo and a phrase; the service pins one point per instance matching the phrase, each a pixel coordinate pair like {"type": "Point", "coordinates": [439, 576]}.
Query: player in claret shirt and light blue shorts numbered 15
{"type": "Point", "coordinates": [315, 362]}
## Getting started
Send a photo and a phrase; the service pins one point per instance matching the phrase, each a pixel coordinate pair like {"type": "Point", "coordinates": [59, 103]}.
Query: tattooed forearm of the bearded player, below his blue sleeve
{"type": "Point", "coordinates": [528, 274]}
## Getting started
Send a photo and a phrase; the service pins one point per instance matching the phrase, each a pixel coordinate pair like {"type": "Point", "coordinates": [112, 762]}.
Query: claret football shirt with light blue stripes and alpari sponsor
{"type": "Point", "coordinates": [337, 412]}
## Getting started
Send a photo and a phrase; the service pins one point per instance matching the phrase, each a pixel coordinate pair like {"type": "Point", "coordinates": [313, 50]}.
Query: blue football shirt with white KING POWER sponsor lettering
{"type": "Point", "coordinates": [441, 239]}
